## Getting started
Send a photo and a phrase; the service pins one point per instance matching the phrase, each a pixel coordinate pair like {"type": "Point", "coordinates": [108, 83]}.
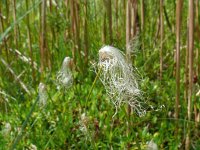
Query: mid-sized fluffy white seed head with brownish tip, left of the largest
{"type": "Point", "coordinates": [64, 76]}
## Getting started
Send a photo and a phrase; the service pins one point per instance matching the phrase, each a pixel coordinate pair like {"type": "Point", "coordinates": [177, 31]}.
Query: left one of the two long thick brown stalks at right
{"type": "Point", "coordinates": [178, 28]}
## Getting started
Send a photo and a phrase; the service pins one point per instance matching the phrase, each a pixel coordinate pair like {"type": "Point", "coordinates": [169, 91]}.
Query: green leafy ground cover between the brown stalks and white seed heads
{"type": "Point", "coordinates": [72, 118]}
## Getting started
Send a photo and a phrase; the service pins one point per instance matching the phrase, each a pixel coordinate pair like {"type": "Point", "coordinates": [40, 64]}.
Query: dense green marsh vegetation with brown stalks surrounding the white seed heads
{"type": "Point", "coordinates": [36, 36]}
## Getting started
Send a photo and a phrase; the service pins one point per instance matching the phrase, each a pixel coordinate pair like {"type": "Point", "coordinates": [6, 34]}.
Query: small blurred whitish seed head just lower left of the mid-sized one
{"type": "Point", "coordinates": [42, 94]}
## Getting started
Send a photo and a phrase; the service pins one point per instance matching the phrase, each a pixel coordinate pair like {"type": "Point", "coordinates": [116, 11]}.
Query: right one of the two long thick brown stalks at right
{"type": "Point", "coordinates": [191, 46]}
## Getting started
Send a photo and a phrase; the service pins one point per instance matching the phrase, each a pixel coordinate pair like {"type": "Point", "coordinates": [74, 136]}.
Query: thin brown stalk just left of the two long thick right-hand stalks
{"type": "Point", "coordinates": [161, 37]}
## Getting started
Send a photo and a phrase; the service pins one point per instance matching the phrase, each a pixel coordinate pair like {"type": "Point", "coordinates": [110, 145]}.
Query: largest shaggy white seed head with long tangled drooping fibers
{"type": "Point", "coordinates": [120, 80]}
